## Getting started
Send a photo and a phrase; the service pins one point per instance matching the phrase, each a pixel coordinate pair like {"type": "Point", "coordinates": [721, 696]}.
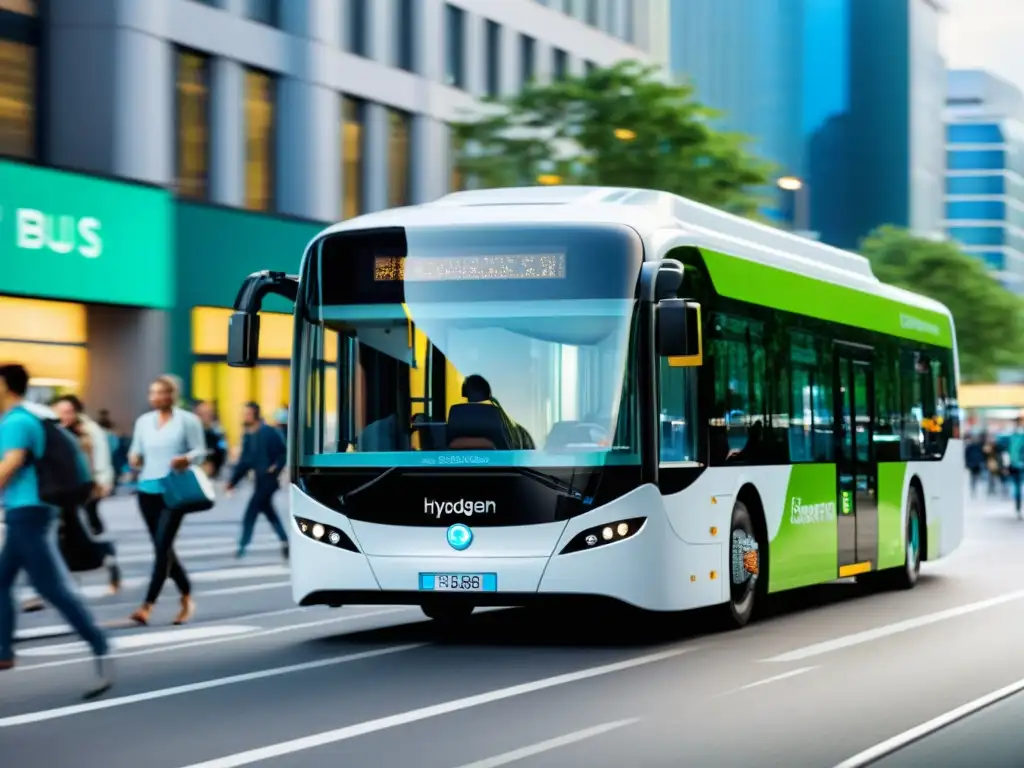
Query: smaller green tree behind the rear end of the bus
{"type": "Point", "coordinates": [990, 319]}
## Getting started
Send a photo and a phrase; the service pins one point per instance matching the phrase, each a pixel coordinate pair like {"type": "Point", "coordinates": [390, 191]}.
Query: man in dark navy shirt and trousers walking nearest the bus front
{"type": "Point", "coordinates": [264, 454]}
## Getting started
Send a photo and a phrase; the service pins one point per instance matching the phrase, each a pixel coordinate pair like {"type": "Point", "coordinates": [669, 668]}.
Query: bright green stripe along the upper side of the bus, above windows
{"type": "Point", "coordinates": [767, 286]}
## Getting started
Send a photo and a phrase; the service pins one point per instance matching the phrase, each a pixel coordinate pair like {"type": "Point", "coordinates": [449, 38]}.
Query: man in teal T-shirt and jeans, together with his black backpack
{"type": "Point", "coordinates": [41, 468]}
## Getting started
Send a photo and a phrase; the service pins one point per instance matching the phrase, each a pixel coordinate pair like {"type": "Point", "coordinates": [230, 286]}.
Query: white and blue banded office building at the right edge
{"type": "Point", "coordinates": [985, 190]}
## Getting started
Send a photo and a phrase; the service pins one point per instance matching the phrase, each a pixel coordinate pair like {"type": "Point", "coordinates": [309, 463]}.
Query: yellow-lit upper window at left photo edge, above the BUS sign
{"type": "Point", "coordinates": [18, 100]}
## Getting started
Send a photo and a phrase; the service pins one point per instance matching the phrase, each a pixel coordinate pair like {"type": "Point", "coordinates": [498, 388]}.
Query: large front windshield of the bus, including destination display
{"type": "Point", "coordinates": [470, 348]}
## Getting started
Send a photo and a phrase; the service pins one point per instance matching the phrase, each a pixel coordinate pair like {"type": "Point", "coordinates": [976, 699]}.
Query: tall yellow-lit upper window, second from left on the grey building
{"type": "Point", "coordinates": [193, 131]}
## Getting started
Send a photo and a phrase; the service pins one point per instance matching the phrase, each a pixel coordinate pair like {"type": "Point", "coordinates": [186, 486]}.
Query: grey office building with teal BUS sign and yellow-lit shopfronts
{"type": "Point", "coordinates": [216, 138]}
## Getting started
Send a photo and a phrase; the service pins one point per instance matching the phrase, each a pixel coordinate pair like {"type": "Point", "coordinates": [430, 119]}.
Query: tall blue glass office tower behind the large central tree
{"type": "Point", "coordinates": [846, 97]}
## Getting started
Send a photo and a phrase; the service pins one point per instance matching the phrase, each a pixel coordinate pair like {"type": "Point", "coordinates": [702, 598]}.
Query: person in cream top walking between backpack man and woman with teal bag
{"type": "Point", "coordinates": [71, 412]}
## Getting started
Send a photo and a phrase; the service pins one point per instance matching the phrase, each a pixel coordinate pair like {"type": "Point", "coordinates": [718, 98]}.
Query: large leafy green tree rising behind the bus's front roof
{"type": "Point", "coordinates": [614, 127]}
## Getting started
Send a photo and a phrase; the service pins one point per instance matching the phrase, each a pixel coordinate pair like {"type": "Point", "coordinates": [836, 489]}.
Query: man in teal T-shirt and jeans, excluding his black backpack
{"type": "Point", "coordinates": [30, 542]}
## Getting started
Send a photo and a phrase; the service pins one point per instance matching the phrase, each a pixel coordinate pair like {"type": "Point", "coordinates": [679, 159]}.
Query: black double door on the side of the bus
{"type": "Point", "coordinates": [858, 470]}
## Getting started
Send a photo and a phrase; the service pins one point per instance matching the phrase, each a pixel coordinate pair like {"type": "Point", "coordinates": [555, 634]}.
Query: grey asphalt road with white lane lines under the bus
{"type": "Point", "coordinates": [833, 673]}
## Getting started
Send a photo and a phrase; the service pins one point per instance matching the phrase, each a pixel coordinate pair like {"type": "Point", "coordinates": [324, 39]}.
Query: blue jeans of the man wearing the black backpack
{"type": "Point", "coordinates": [31, 546]}
